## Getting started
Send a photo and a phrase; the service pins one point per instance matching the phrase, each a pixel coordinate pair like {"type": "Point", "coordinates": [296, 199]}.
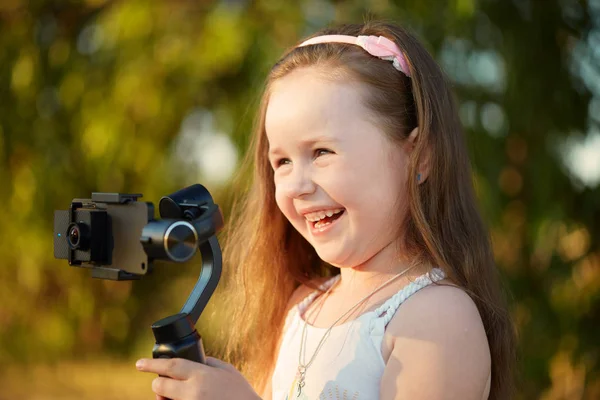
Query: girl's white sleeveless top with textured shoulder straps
{"type": "Point", "coordinates": [349, 365]}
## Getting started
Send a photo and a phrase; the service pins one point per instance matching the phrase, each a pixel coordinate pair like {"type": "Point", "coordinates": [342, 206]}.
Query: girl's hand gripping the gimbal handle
{"type": "Point", "coordinates": [187, 380]}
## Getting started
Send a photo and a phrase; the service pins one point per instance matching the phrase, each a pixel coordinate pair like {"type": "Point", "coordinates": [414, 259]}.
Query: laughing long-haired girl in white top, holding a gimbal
{"type": "Point", "coordinates": [366, 268]}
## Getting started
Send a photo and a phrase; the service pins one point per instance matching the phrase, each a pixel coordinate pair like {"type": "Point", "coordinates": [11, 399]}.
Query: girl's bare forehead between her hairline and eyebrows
{"type": "Point", "coordinates": [307, 102]}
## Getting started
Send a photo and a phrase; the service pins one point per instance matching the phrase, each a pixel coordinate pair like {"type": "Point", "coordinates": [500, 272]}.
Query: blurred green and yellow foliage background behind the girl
{"type": "Point", "coordinates": [150, 96]}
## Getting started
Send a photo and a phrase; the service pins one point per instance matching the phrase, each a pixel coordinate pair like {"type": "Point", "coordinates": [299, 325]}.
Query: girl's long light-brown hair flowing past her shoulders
{"type": "Point", "coordinates": [269, 259]}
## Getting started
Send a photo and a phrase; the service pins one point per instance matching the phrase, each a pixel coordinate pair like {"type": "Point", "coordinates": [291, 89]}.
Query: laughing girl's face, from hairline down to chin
{"type": "Point", "coordinates": [338, 179]}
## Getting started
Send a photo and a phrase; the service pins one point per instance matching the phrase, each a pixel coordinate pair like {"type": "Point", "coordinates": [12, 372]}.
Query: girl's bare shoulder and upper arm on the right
{"type": "Point", "coordinates": [440, 348]}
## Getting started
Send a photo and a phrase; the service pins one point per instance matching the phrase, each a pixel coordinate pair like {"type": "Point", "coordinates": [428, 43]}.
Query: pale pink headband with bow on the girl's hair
{"type": "Point", "coordinates": [377, 46]}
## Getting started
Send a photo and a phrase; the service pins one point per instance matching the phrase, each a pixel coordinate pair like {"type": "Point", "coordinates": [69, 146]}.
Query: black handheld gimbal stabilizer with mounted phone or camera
{"type": "Point", "coordinates": [118, 238]}
